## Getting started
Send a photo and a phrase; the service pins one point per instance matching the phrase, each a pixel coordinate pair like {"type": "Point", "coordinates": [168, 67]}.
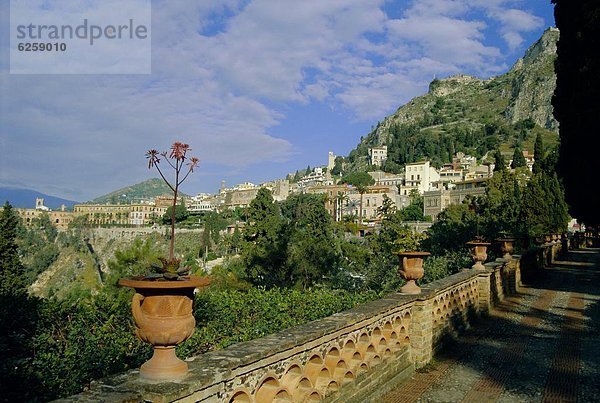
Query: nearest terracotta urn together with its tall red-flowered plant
{"type": "Point", "coordinates": [162, 303]}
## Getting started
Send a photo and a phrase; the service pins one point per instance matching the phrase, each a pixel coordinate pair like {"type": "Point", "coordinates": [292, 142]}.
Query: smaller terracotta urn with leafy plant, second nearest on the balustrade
{"type": "Point", "coordinates": [411, 260]}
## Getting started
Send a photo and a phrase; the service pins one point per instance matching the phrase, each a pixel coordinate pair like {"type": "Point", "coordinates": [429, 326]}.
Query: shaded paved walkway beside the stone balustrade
{"type": "Point", "coordinates": [540, 346]}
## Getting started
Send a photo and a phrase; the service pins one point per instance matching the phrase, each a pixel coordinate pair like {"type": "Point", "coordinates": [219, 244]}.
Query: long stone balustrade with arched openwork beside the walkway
{"type": "Point", "coordinates": [351, 356]}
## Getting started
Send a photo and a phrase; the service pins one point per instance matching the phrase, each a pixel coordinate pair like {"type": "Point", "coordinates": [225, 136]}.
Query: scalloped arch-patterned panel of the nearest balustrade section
{"type": "Point", "coordinates": [319, 372]}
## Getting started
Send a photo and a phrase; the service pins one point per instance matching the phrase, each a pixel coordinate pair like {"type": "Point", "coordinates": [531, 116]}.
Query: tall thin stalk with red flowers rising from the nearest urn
{"type": "Point", "coordinates": [177, 158]}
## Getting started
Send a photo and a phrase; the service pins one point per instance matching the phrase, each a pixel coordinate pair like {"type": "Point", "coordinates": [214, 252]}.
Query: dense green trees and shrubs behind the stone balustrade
{"type": "Point", "coordinates": [295, 265]}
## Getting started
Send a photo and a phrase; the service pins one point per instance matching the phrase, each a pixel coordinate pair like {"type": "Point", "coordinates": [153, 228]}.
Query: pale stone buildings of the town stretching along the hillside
{"type": "Point", "coordinates": [450, 184]}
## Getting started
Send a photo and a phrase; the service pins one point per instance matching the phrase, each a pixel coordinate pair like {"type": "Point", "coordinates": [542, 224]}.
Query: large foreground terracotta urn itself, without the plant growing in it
{"type": "Point", "coordinates": [162, 311]}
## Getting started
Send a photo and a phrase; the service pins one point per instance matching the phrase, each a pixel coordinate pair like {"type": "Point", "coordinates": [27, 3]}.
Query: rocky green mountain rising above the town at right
{"type": "Point", "coordinates": [465, 113]}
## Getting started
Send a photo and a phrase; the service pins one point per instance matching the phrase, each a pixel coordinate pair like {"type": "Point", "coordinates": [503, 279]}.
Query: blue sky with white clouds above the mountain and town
{"type": "Point", "coordinates": [257, 88]}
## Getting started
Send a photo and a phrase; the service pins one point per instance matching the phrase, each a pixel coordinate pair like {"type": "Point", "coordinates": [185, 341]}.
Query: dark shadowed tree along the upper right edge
{"type": "Point", "coordinates": [575, 102]}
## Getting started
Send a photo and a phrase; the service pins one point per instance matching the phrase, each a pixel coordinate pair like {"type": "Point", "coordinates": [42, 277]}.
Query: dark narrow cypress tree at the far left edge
{"type": "Point", "coordinates": [12, 273]}
